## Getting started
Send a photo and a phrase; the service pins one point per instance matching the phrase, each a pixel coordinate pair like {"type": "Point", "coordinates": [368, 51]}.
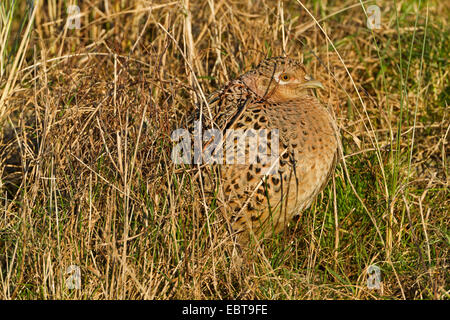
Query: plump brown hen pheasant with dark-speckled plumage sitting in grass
{"type": "Point", "coordinates": [275, 95]}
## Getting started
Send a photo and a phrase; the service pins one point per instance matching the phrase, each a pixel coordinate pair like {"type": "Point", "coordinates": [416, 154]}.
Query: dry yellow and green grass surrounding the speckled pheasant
{"type": "Point", "coordinates": [86, 177]}
